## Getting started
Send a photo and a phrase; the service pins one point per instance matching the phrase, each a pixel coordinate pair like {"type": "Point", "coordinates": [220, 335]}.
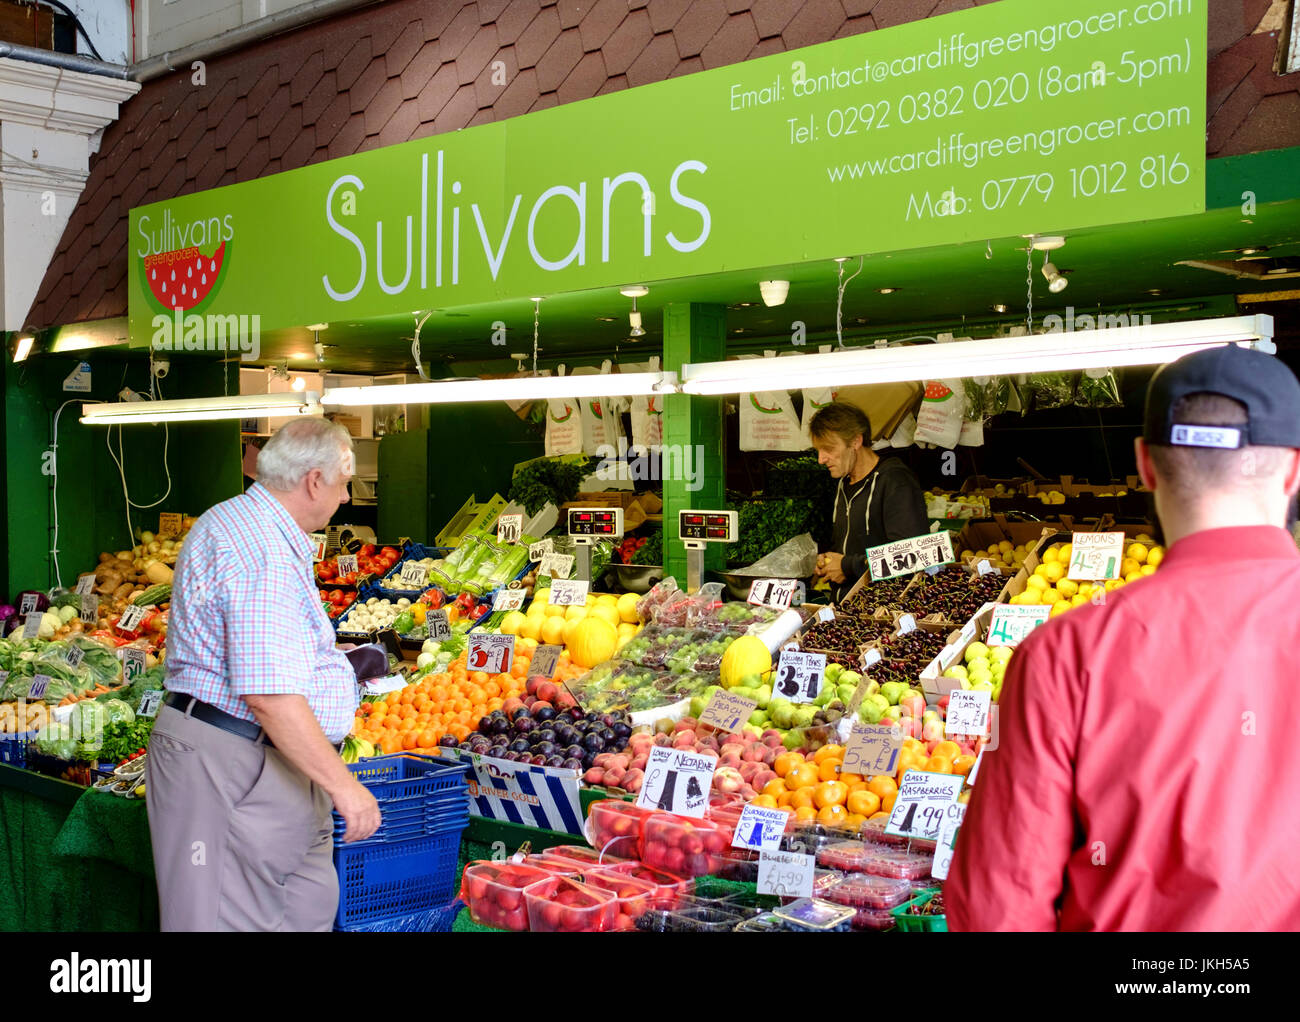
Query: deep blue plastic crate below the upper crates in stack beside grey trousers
{"type": "Point", "coordinates": [388, 880]}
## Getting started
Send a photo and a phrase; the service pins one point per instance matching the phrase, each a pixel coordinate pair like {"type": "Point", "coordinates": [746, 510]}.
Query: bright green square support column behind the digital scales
{"type": "Point", "coordinates": [692, 423]}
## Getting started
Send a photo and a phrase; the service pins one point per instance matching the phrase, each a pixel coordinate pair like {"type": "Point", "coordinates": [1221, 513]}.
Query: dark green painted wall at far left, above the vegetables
{"type": "Point", "coordinates": [203, 460]}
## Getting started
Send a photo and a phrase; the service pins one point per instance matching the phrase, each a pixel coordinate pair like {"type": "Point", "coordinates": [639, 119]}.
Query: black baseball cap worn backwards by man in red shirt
{"type": "Point", "coordinates": [1267, 388]}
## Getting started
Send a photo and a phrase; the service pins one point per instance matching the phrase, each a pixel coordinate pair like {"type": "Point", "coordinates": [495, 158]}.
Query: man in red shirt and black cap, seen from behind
{"type": "Point", "coordinates": [1147, 769]}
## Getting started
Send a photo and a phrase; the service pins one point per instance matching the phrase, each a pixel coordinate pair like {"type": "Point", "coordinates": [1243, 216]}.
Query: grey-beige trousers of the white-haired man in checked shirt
{"type": "Point", "coordinates": [242, 839]}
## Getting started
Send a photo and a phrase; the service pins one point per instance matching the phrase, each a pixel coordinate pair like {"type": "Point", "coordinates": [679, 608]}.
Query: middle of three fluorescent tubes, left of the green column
{"type": "Point", "coordinates": [597, 386]}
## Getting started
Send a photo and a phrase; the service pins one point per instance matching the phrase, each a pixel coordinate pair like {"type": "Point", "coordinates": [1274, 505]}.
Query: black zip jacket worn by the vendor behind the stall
{"type": "Point", "coordinates": [885, 506]}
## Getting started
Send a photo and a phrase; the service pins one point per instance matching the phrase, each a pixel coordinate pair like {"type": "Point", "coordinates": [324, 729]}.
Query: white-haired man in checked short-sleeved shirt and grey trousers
{"type": "Point", "coordinates": [244, 764]}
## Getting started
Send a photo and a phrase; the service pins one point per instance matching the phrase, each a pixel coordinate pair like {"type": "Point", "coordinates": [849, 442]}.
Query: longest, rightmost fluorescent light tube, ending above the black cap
{"type": "Point", "coordinates": [1063, 352]}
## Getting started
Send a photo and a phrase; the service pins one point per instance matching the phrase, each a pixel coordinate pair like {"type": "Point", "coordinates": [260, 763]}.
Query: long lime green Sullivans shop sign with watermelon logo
{"type": "Point", "coordinates": [1009, 119]}
